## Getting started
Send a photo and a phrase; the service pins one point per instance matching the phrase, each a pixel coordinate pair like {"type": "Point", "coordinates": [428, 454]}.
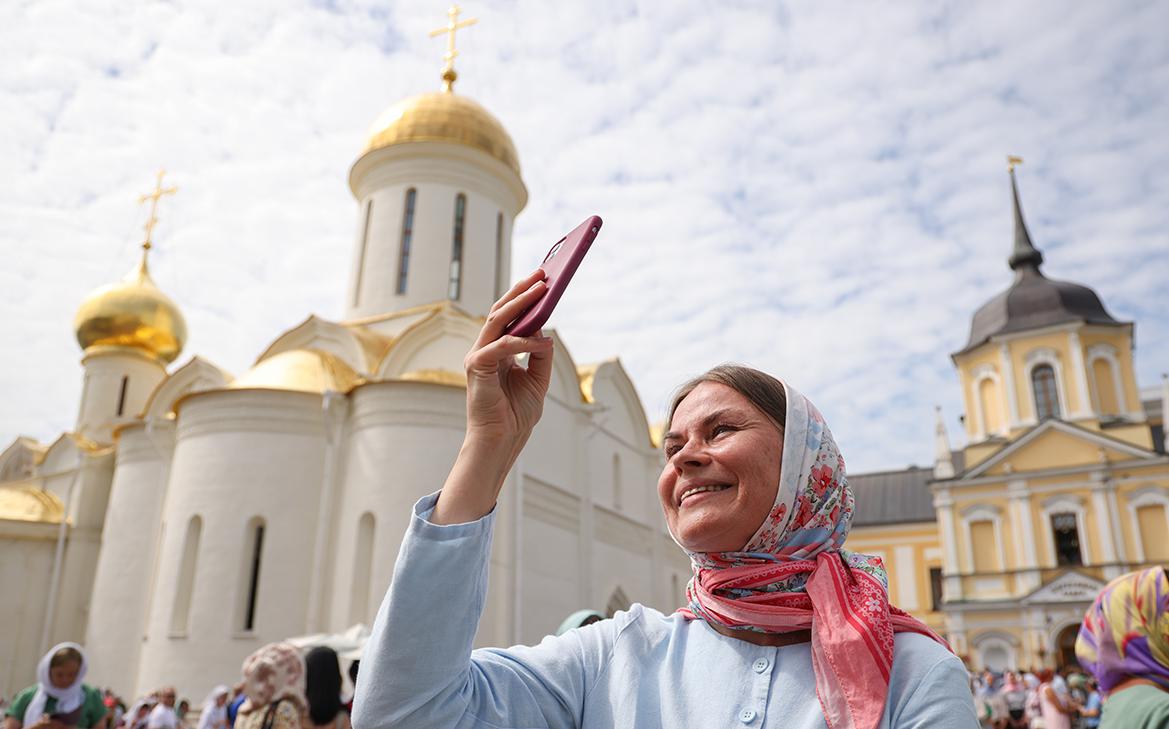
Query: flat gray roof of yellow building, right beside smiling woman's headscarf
{"type": "Point", "coordinates": [893, 497]}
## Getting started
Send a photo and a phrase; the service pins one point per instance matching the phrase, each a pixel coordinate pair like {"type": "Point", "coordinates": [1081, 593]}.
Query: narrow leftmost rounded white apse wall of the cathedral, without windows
{"type": "Point", "coordinates": [122, 580]}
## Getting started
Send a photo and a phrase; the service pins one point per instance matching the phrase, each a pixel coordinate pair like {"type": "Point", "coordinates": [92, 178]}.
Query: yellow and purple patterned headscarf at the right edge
{"type": "Point", "coordinates": [1126, 631]}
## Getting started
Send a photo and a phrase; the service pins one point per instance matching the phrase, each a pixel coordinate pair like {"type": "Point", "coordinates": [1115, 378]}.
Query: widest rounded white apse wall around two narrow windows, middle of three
{"type": "Point", "coordinates": [240, 456]}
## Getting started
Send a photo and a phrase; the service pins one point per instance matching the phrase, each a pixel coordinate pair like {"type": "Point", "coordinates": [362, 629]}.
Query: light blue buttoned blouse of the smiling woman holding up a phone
{"type": "Point", "coordinates": [641, 669]}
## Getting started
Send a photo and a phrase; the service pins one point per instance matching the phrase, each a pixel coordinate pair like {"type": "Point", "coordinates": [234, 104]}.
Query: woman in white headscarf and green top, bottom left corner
{"type": "Point", "coordinates": [60, 698]}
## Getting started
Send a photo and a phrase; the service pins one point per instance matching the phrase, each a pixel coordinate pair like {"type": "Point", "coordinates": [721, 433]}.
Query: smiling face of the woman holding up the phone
{"type": "Point", "coordinates": [723, 446]}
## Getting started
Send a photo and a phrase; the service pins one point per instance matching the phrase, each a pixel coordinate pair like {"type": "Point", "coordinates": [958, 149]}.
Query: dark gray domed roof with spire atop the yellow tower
{"type": "Point", "coordinates": [1034, 301]}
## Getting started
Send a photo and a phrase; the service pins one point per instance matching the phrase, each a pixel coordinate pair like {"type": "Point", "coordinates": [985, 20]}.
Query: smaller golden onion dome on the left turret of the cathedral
{"type": "Point", "coordinates": [133, 314]}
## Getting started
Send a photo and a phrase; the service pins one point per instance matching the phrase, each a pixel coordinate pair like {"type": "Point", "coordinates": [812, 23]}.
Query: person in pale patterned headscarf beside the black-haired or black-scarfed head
{"type": "Point", "coordinates": [274, 686]}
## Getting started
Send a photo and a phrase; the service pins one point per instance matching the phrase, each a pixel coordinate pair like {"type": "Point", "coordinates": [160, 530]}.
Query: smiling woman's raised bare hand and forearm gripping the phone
{"type": "Point", "coordinates": [504, 402]}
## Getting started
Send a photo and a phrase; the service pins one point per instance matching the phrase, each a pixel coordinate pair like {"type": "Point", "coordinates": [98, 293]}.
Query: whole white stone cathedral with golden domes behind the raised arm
{"type": "Point", "coordinates": [193, 516]}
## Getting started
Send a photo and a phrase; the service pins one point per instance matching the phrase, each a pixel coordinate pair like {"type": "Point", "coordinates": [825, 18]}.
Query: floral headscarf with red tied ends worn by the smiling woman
{"type": "Point", "coordinates": [793, 575]}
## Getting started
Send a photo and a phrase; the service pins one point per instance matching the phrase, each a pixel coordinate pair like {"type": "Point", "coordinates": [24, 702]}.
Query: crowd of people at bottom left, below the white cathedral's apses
{"type": "Point", "coordinates": [281, 689]}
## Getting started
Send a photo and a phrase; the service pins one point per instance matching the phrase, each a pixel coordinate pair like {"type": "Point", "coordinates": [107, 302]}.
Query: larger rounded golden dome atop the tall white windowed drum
{"type": "Point", "coordinates": [444, 116]}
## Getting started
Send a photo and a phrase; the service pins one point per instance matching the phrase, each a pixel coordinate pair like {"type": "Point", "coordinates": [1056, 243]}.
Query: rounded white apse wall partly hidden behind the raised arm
{"type": "Point", "coordinates": [403, 440]}
